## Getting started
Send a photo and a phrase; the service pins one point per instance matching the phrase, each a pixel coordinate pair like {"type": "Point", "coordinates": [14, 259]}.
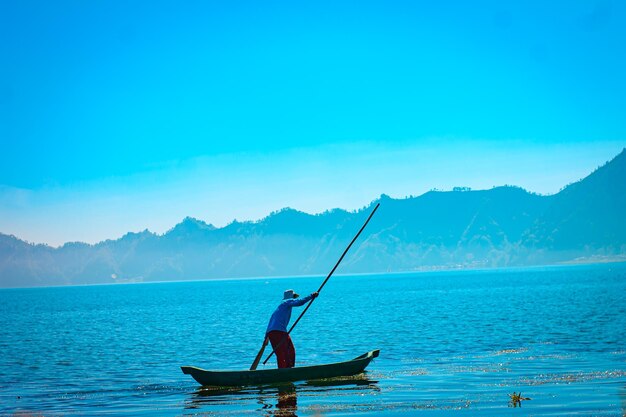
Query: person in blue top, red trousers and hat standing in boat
{"type": "Point", "coordinates": [277, 328]}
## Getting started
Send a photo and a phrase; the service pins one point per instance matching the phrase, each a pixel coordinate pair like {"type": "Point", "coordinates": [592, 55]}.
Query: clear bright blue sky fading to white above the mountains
{"type": "Point", "coordinates": [119, 116]}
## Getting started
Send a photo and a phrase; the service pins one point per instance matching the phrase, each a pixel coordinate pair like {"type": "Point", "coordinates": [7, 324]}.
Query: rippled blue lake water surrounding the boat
{"type": "Point", "coordinates": [451, 343]}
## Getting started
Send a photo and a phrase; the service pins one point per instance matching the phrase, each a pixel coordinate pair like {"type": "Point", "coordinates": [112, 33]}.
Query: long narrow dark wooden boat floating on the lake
{"type": "Point", "coordinates": [272, 376]}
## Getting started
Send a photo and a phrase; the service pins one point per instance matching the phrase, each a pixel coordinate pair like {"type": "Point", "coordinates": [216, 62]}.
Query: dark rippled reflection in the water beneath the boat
{"type": "Point", "coordinates": [277, 399]}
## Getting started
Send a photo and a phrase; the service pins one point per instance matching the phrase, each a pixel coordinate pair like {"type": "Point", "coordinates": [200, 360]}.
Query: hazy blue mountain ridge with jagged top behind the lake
{"type": "Point", "coordinates": [504, 226]}
